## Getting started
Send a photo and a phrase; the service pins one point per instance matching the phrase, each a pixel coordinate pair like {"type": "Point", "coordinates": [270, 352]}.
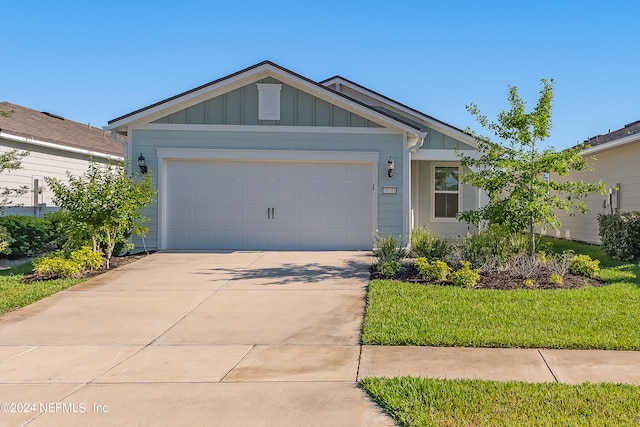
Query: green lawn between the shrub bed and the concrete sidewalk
{"type": "Point", "coordinates": [604, 318]}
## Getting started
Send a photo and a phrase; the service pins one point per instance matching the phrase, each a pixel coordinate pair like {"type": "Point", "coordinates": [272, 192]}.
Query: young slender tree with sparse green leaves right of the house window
{"type": "Point", "coordinates": [515, 173]}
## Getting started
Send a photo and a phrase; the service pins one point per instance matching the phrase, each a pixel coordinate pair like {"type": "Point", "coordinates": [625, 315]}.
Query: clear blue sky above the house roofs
{"type": "Point", "coordinates": [94, 61]}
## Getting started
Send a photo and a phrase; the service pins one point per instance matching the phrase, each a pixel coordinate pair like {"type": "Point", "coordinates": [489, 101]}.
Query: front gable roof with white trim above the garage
{"type": "Point", "coordinates": [245, 76]}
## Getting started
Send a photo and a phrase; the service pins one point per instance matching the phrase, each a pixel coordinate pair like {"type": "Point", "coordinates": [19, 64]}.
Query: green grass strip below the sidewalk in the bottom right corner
{"type": "Point", "coordinates": [436, 402]}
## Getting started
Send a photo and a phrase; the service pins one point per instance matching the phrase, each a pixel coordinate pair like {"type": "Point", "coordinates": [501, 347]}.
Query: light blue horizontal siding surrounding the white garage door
{"type": "Point", "coordinates": [390, 206]}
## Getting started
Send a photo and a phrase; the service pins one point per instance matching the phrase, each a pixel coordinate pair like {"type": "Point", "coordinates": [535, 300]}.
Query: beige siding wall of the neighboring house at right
{"type": "Point", "coordinates": [618, 165]}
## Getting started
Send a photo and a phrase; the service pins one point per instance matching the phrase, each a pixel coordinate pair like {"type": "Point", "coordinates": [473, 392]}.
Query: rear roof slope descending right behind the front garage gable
{"type": "Point", "coordinates": [411, 112]}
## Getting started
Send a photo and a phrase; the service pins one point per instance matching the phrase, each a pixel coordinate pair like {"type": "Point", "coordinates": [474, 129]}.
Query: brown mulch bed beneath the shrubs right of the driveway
{"type": "Point", "coordinates": [496, 279]}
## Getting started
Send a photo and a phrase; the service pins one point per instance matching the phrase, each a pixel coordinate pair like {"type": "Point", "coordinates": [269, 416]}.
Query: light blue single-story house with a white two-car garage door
{"type": "Point", "coordinates": [265, 158]}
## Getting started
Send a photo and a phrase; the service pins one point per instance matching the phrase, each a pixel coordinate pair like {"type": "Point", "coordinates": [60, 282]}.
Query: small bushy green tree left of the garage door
{"type": "Point", "coordinates": [106, 202]}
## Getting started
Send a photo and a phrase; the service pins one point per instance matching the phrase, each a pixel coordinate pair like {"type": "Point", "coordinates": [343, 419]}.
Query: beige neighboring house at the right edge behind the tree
{"type": "Point", "coordinates": [617, 163]}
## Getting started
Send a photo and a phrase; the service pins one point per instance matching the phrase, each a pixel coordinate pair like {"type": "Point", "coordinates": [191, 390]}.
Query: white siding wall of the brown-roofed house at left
{"type": "Point", "coordinates": [40, 163]}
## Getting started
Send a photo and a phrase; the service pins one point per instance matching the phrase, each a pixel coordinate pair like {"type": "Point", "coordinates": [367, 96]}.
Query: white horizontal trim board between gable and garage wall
{"type": "Point", "coordinates": [263, 128]}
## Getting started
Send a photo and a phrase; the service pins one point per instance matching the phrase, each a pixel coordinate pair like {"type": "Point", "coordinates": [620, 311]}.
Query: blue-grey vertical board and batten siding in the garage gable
{"type": "Point", "coordinates": [240, 107]}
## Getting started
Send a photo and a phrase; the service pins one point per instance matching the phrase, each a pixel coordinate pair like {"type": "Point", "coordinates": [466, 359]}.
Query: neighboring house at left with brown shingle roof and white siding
{"type": "Point", "coordinates": [56, 145]}
